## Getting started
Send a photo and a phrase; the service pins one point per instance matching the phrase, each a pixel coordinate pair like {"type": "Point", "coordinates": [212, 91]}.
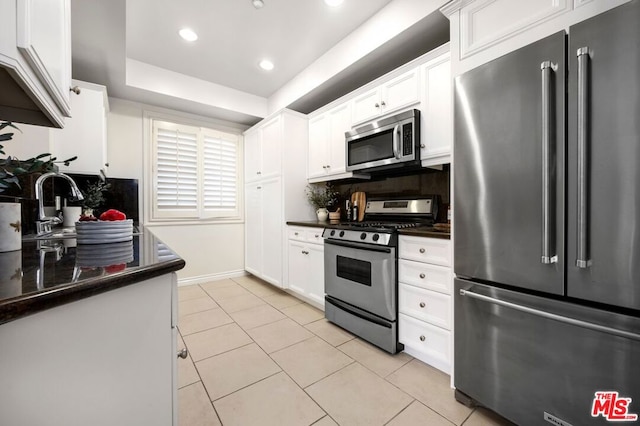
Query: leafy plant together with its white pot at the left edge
{"type": "Point", "coordinates": [12, 170]}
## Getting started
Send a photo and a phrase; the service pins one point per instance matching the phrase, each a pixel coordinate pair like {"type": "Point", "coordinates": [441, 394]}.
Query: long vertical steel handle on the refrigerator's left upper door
{"type": "Point", "coordinates": [548, 208]}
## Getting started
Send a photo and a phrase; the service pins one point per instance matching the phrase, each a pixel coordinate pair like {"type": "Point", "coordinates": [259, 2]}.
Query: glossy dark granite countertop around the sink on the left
{"type": "Point", "coordinates": [50, 273]}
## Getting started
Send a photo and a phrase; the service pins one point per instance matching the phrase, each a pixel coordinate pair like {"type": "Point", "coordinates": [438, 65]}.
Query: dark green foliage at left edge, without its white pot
{"type": "Point", "coordinates": [12, 168]}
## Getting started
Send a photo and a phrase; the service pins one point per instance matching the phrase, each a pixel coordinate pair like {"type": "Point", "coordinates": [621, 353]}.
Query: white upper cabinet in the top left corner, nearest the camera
{"type": "Point", "coordinates": [35, 61]}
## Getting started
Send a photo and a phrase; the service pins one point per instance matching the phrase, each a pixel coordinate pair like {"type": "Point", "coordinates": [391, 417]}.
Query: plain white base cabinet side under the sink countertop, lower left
{"type": "Point", "coordinates": [108, 359]}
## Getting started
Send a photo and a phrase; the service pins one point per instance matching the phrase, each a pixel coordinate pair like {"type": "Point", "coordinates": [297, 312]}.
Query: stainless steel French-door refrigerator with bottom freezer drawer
{"type": "Point", "coordinates": [547, 227]}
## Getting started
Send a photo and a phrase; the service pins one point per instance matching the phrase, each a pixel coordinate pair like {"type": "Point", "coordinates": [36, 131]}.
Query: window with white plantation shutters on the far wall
{"type": "Point", "coordinates": [195, 172]}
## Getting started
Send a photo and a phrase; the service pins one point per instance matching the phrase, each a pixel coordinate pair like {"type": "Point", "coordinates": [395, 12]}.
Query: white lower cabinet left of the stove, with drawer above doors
{"type": "Point", "coordinates": [306, 263]}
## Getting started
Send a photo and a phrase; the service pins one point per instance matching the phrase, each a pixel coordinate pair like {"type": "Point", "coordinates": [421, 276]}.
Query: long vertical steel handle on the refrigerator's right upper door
{"type": "Point", "coordinates": [583, 260]}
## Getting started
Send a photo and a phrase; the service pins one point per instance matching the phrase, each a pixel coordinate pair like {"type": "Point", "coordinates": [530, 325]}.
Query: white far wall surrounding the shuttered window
{"type": "Point", "coordinates": [210, 251]}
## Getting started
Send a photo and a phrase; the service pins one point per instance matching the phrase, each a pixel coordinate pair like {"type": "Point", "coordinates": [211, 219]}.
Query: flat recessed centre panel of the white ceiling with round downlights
{"type": "Point", "coordinates": [234, 37]}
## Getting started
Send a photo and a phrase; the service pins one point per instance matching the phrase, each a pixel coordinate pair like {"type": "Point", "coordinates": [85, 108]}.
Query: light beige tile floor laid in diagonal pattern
{"type": "Point", "coordinates": [259, 356]}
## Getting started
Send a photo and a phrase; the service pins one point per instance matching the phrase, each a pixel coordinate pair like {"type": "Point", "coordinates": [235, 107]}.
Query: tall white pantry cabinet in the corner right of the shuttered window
{"type": "Point", "coordinates": [275, 179]}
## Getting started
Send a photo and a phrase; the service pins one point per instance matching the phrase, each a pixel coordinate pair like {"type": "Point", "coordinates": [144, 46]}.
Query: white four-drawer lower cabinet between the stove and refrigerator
{"type": "Point", "coordinates": [424, 300]}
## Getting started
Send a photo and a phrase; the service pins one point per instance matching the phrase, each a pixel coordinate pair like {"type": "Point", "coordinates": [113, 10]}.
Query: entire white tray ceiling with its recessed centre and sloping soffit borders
{"type": "Point", "coordinates": [112, 39]}
